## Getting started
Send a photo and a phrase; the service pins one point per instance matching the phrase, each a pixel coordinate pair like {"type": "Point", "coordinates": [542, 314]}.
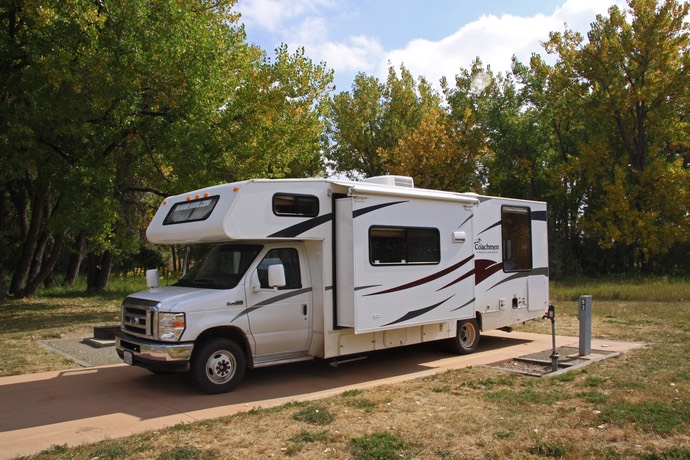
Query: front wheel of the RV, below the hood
{"type": "Point", "coordinates": [218, 365]}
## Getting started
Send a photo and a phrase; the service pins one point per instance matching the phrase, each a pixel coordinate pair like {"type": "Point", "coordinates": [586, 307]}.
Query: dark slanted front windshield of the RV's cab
{"type": "Point", "coordinates": [222, 267]}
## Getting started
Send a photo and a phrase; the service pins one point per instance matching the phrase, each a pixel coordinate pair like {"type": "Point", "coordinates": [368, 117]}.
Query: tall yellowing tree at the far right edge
{"type": "Point", "coordinates": [630, 81]}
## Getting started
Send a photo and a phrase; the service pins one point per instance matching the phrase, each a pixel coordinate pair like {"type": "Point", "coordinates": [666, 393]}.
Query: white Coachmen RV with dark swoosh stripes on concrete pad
{"type": "Point", "coordinates": [298, 269]}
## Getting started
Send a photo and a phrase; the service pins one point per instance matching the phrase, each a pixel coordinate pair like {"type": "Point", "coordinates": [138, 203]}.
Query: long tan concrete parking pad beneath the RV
{"type": "Point", "coordinates": [87, 405]}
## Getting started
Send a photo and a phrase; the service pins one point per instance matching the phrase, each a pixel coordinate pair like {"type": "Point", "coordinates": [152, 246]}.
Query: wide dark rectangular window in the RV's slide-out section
{"type": "Point", "coordinates": [401, 246]}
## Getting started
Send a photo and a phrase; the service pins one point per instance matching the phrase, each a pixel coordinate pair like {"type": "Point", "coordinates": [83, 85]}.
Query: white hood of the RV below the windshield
{"type": "Point", "coordinates": [175, 298]}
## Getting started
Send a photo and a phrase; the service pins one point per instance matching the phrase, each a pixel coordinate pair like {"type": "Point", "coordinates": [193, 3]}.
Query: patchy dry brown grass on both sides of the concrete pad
{"type": "Point", "coordinates": [633, 406]}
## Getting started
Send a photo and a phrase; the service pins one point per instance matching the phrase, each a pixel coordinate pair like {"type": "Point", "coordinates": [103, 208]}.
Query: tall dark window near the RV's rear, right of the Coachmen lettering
{"type": "Point", "coordinates": [517, 238]}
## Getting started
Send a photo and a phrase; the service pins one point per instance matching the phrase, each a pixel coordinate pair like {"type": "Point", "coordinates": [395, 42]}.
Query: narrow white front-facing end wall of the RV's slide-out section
{"type": "Point", "coordinates": [344, 263]}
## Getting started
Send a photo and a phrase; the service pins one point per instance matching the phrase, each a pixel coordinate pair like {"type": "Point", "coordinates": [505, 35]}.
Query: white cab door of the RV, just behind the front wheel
{"type": "Point", "coordinates": [280, 317]}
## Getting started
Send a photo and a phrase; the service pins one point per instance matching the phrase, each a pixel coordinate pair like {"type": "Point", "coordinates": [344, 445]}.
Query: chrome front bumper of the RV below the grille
{"type": "Point", "coordinates": [154, 355]}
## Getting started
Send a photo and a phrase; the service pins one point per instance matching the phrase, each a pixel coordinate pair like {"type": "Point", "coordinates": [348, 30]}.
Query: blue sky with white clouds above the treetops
{"type": "Point", "coordinates": [432, 38]}
